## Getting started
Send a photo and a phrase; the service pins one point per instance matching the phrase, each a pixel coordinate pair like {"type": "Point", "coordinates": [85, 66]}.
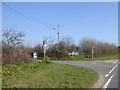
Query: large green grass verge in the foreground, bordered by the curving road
{"type": "Point", "coordinates": [47, 75]}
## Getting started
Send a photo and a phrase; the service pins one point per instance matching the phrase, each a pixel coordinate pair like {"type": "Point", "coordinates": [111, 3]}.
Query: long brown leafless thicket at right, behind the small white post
{"type": "Point", "coordinates": [100, 48]}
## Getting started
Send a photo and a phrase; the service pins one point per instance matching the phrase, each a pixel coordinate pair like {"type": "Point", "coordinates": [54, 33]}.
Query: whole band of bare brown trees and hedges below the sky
{"type": "Point", "coordinates": [14, 52]}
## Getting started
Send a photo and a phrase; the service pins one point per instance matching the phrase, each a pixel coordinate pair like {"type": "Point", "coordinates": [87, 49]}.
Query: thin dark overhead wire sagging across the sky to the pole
{"type": "Point", "coordinates": [35, 21]}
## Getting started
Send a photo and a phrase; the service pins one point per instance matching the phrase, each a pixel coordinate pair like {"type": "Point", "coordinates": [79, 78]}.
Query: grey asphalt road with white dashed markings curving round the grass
{"type": "Point", "coordinates": [107, 70]}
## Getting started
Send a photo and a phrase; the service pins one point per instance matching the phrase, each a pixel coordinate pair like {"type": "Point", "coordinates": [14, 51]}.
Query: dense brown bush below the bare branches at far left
{"type": "Point", "coordinates": [16, 56]}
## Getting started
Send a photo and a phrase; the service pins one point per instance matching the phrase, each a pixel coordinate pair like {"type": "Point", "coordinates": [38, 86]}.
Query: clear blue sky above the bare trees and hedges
{"type": "Point", "coordinates": [97, 20]}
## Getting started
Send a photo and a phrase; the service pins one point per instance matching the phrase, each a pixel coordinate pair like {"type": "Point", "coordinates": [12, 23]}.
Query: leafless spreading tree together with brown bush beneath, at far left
{"type": "Point", "coordinates": [12, 50]}
